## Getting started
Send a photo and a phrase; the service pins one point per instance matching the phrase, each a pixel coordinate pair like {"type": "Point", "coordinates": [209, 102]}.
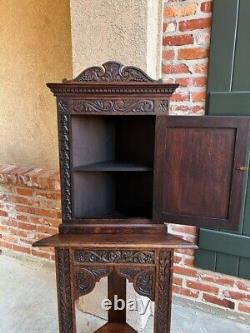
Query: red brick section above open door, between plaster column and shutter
{"type": "Point", "coordinates": [186, 39]}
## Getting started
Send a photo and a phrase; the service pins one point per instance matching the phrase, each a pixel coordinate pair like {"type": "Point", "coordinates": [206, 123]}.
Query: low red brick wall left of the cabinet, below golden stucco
{"type": "Point", "coordinates": [29, 208]}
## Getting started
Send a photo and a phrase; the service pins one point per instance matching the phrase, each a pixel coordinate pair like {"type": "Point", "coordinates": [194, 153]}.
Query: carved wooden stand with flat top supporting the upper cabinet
{"type": "Point", "coordinates": [81, 261]}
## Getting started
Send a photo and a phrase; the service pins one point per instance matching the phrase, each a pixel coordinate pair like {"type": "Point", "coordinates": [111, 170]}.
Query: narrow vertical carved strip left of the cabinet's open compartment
{"type": "Point", "coordinates": [64, 152]}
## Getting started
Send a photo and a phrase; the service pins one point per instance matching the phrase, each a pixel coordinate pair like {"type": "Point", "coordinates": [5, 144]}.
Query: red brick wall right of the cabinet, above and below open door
{"type": "Point", "coordinates": [186, 37]}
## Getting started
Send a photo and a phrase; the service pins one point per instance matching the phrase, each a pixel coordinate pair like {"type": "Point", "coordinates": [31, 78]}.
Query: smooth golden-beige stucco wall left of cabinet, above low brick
{"type": "Point", "coordinates": [35, 49]}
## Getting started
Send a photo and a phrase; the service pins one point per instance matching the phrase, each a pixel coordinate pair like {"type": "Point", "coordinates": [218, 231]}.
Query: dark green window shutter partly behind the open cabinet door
{"type": "Point", "coordinates": [229, 94]}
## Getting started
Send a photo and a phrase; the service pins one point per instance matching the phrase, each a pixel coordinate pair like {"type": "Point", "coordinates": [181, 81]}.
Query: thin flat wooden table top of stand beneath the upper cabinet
{"type": "Point", "coordinates": [154, 241]}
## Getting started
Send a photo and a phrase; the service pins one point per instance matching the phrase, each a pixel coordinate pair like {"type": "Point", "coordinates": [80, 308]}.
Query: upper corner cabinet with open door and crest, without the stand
{"type": "Point", "coordinates": [127, 166]}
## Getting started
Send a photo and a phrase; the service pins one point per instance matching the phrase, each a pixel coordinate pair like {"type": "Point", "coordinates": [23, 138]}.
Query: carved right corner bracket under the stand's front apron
{"type": "Point", "coordinates": [142, 279]}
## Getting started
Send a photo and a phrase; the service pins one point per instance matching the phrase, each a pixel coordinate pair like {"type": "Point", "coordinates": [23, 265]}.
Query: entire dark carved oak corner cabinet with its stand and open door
{"type": "Point", "coordinates": [126, 168]}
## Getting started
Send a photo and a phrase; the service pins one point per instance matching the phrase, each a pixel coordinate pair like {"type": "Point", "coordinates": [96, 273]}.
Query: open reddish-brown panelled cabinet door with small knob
{"type": "Point", "coordinates": [200, 164]}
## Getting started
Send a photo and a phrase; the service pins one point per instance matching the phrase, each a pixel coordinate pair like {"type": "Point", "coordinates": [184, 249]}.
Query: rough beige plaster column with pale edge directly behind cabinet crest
{"type": "Point", "coordinates": [127, 31]}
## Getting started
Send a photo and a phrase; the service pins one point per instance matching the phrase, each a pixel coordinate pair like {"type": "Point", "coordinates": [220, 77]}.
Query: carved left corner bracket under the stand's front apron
{"type": "Point", "coordinates": [86, 278]}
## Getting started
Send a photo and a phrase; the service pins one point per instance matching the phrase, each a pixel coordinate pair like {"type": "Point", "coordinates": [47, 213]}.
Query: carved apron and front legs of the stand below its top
{"type": "Point", "coordinates": [78, 270]}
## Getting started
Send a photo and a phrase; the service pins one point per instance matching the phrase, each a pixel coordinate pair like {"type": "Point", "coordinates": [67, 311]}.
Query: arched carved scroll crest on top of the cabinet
{"type": "Point", "coordinates": [113, 71]}
